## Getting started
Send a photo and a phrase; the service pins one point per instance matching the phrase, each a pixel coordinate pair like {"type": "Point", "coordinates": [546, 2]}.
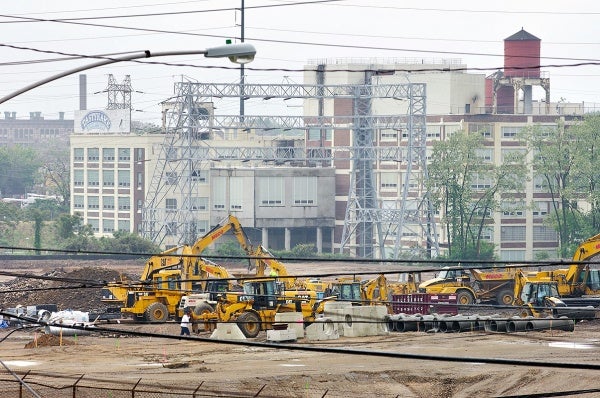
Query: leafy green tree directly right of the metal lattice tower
{"type": "Point", "coordinates": [468, 189]}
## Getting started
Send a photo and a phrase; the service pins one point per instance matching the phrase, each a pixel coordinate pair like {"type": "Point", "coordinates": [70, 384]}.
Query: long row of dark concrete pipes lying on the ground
{"type": "Point", "coordinates": [466, 323]}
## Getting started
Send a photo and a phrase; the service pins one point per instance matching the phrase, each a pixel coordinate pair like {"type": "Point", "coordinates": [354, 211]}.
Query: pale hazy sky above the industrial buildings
{"type": "Point", "coordinates": [286, 34]}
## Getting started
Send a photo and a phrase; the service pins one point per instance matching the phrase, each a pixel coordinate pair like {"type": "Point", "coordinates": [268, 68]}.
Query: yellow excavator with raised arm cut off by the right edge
{"type": "Point", "coordinates": [577, 280]}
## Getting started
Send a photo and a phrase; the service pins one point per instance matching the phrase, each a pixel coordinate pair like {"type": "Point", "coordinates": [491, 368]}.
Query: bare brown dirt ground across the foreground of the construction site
{"type": "Point", "coordinates": [112, 359]}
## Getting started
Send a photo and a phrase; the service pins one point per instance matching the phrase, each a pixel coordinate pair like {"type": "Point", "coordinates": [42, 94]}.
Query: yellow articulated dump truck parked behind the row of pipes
{"type": "Point", "coordinates": [471, 285]}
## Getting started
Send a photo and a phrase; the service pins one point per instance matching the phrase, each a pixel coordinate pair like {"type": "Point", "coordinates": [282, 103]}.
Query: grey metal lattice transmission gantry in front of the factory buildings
{"type": "Point", "coordinates": [186, 152]}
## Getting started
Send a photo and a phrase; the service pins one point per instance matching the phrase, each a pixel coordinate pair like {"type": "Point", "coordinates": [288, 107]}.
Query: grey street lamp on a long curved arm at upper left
{"type": "Point", "coordinates": [240, 53]}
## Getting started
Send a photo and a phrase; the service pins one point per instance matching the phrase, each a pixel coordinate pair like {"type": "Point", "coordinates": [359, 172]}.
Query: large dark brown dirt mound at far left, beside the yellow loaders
{"type": "Point", "coordinates": [75, 289]}
